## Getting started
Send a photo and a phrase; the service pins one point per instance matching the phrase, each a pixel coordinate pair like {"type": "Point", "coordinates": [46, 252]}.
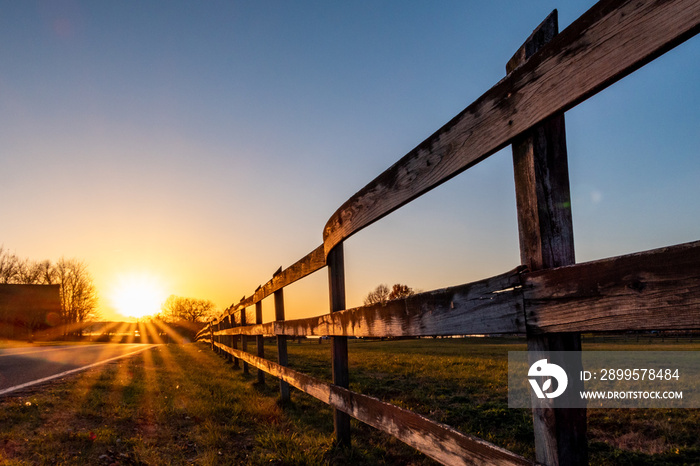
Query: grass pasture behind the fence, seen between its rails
{"type": "Point", "coordinates": [463, 383]}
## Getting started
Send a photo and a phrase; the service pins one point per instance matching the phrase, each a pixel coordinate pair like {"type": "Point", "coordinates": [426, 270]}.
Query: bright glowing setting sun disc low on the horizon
{"type": "Point", "coordinates": [138, 295]}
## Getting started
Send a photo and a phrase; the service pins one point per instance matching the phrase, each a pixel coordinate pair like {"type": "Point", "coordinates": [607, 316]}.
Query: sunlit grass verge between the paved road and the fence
{"type": "Point", "coordinates": [175, 404]}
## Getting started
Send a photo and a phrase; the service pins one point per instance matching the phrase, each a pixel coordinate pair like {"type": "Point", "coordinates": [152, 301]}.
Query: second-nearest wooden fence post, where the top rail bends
{"type": "Point", "coordinates": [339, 345]}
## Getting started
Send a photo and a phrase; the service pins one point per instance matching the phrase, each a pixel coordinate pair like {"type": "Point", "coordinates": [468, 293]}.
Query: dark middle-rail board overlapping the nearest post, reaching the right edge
{"type": "Point", "coordinates": [653, 290]}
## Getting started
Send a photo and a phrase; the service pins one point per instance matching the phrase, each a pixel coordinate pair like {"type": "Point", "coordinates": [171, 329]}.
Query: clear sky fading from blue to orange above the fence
{"type": "Point", "coordinates": [207, 143]}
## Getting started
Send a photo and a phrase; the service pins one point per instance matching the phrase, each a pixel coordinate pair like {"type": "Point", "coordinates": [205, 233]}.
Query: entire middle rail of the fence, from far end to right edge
{"type": "Point", "coordinates": [652, 290]}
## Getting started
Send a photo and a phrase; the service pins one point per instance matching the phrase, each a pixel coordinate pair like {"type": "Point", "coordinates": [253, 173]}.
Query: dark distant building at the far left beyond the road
{"type": "Point", "coordinates": [26, 309]}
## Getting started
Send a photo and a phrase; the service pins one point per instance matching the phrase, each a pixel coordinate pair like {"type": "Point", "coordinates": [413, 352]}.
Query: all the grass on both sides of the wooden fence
{"type": "Point", "coordinates": [182, 404]}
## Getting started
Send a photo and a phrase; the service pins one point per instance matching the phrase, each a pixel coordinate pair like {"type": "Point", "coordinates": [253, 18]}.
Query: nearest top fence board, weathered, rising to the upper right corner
{"type": "Point", "coordinates": [608, 42]}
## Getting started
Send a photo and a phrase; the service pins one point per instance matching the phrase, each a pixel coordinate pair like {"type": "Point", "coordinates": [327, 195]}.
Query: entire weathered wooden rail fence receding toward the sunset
{"type": "Point", "coordinates": [548, 297]}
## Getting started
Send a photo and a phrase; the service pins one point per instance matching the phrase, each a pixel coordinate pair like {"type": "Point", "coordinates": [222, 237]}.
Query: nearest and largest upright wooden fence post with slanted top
{"type": "Point", "coordinates": [546, 240]}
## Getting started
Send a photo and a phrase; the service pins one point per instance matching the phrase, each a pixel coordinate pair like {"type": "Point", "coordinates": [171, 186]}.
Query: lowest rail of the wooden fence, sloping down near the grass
{"type": "Point", "coordinates": [438, 441]}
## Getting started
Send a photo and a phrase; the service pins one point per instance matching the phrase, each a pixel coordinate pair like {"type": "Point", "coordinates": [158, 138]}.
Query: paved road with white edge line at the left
{"type": "Point", "coordinates": [27, 366]}
